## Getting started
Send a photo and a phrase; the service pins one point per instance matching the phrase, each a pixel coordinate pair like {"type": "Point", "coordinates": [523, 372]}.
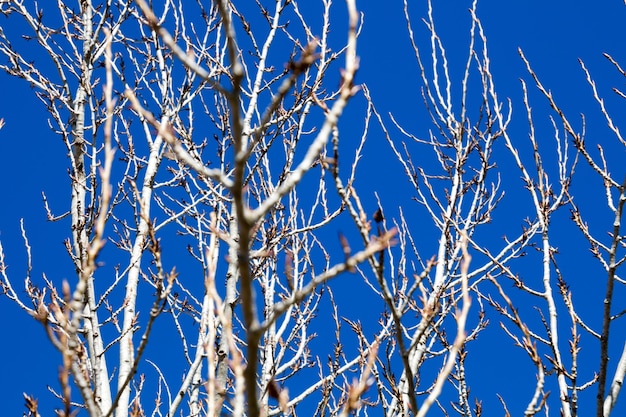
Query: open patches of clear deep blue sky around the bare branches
{"type": "Point", "coordinates": [553, 35]}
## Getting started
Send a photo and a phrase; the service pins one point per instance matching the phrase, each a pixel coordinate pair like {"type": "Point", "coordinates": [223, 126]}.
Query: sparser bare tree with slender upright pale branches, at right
{"type": "Point", "coordinates": [460, 198]}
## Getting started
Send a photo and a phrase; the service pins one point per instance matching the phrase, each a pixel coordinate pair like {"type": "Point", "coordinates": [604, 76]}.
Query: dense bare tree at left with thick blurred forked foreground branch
{"type": "Point", "coordinates": [145, 100]}
